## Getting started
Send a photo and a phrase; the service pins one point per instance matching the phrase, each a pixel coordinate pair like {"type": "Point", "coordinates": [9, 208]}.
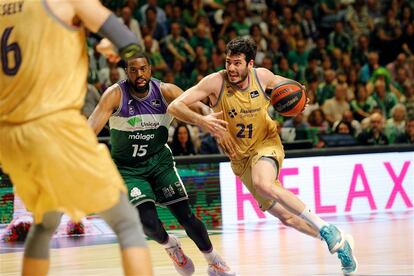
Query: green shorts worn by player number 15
{"type": "Point", "coordinates": [155, 180]}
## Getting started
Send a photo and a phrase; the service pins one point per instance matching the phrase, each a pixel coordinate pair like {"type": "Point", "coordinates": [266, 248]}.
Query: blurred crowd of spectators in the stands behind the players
{"type": "Point", "coordinates": [356, 58]}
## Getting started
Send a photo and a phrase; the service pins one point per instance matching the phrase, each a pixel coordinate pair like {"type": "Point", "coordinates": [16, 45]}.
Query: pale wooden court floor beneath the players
{"type": "Point", "coordinates": [384, 246]}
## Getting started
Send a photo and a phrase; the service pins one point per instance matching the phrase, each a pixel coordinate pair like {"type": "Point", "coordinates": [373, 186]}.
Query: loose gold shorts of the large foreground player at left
{"type": "Point", "coordinates": [56, 164]}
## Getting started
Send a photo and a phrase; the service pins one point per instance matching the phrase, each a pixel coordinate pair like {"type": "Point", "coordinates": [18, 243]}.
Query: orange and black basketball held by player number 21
{"type": "Point", "coordinates": [288, 98]}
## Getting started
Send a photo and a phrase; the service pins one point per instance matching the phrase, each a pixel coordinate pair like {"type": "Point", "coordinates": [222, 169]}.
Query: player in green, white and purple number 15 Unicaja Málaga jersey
{"type": "Point", "coordinates": [137, 112]}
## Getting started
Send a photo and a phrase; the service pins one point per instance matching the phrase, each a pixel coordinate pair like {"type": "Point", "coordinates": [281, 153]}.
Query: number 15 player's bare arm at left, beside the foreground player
{"type": "Point", "coordinates": [109, 102]}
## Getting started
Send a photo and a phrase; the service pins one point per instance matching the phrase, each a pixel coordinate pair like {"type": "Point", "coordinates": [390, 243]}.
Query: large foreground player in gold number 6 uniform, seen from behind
{"type": "Point", "coordinates": [46, 146]}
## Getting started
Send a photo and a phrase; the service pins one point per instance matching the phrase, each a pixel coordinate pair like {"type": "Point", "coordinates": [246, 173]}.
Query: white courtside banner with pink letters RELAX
{"type": "Point", "coordinates": [330, 185]}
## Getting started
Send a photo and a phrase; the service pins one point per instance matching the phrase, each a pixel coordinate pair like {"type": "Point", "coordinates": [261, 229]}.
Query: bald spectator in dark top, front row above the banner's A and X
{"type": "Point", "coordinates": [374, 135]}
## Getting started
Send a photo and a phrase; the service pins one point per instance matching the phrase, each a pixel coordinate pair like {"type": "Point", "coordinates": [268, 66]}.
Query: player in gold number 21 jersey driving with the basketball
{"type": "Point", "coordinates": [249, 136]}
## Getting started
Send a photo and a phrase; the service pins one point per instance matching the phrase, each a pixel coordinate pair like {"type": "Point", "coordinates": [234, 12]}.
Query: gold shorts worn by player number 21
{"type": "Point", "coordinates": [243, 169]}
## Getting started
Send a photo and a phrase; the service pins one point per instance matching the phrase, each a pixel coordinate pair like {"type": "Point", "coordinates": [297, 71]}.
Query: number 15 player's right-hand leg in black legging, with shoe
{"type": "Point", "coordinates": [197, 231]}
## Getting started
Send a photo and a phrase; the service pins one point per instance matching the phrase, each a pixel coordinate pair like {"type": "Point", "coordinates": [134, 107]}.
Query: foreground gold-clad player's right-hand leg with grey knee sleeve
{"type": "Point", "coordinates": [125, 223]}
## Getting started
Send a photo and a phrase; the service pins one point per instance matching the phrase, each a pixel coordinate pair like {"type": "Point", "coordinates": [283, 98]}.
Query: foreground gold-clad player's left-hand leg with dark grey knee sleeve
{"type": "Point", "coordinates": [36, 252]}
